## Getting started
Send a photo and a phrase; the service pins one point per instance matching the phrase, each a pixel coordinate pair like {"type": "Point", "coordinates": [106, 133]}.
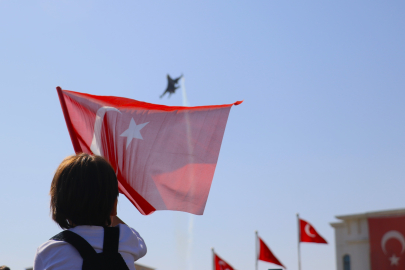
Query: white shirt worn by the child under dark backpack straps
{"type": "Point", "coordinates": [59, 255]}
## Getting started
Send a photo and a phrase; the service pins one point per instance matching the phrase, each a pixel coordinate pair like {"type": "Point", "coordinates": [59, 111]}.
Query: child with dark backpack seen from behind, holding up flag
{"type": "Point", "coordinates": [84, 196]}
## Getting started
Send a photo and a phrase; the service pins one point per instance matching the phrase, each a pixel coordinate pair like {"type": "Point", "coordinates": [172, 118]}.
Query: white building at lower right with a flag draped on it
{"type": "Point", "coordinates": [352, 239]}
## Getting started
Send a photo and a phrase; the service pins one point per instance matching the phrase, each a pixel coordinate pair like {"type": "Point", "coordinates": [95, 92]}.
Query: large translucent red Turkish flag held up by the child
{"type": "Point", "coordinates": [164, 157]}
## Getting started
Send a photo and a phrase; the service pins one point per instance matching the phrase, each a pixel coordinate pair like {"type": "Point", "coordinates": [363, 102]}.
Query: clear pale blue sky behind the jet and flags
{"type": "Point", "coordinates": [321, 131]}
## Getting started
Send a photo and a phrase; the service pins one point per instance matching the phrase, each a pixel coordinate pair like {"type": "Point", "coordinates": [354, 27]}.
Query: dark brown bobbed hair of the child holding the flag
{"type": "Point", "coordinates": [83, 191]}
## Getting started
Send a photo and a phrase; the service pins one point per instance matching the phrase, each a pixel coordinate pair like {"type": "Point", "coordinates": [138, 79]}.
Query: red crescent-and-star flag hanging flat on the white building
{"type": "Point", "coordinates": [387, 242]}
